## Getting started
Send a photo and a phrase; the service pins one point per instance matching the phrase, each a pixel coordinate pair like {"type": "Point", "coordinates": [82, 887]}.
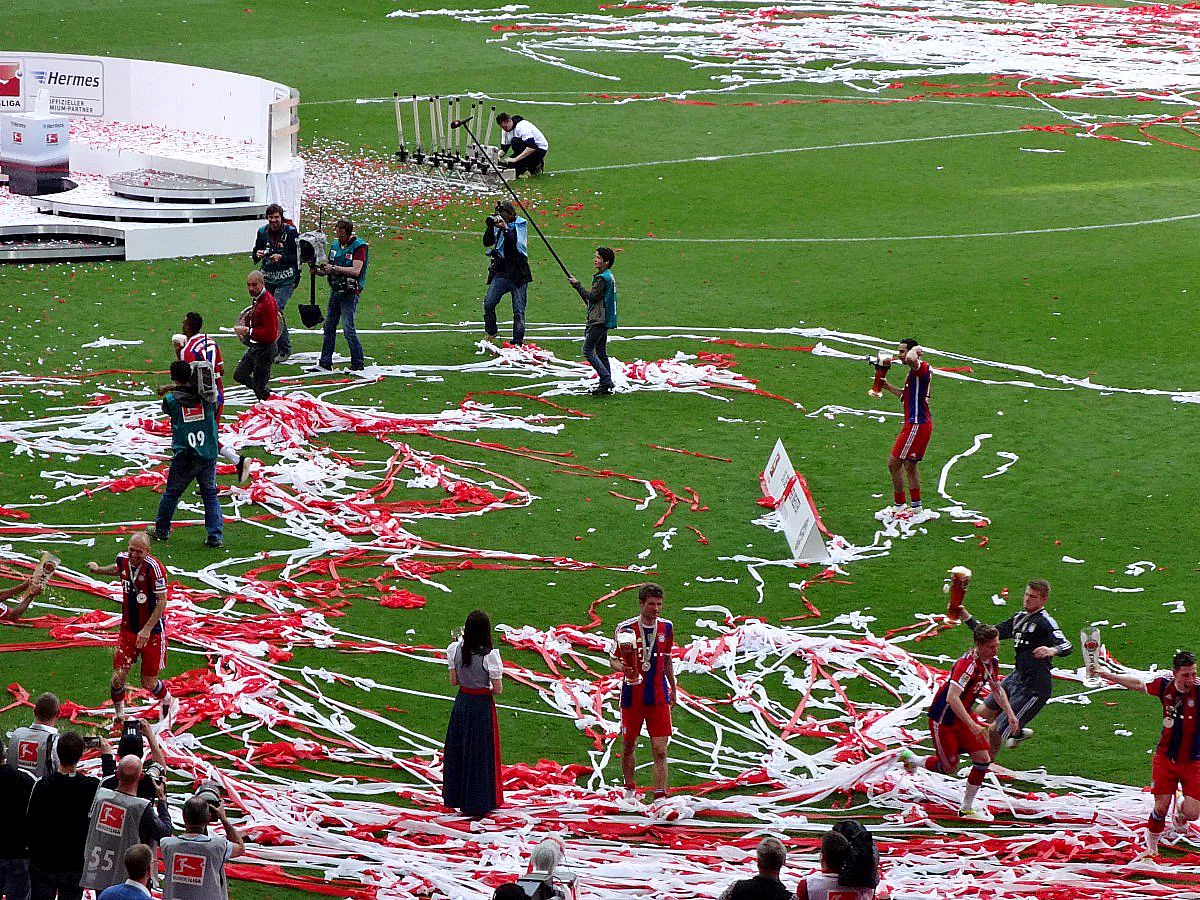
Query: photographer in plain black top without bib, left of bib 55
{"type": "Point", "coordinates": [58, 824]}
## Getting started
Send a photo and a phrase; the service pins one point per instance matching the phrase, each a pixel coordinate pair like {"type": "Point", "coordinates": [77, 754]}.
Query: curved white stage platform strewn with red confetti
{"type": "Point", "coordinates": [193, 175]}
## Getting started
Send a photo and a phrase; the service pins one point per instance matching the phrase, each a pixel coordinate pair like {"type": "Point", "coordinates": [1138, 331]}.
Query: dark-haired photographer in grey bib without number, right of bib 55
{"type": "Point", "coordinates": [195, 861]}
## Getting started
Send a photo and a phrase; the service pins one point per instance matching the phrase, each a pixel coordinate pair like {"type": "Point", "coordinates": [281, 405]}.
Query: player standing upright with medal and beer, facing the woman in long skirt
{"type": "Point", "coordinates": [649, 704]}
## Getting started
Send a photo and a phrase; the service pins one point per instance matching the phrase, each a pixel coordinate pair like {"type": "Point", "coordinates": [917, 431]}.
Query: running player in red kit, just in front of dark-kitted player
{"type": "Point", "coordinates": [953, 727]}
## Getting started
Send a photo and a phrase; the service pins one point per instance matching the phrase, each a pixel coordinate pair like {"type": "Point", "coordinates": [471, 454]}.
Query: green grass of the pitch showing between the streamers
{"type": "Point", "coordinates": [751, 242]}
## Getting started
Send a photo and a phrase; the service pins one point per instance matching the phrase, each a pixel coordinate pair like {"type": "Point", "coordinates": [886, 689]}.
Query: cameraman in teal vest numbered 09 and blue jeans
{"type": "Point", "coordinates": [194, 443]}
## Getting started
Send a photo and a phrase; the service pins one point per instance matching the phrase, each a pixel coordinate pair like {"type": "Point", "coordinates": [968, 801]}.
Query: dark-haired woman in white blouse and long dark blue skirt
{"type": "Point", "coordinates": [471, 773]}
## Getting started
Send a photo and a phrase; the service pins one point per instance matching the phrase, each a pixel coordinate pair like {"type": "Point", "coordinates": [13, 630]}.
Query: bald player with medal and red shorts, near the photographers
{"type": "Point", "coordinates": [143, 607]}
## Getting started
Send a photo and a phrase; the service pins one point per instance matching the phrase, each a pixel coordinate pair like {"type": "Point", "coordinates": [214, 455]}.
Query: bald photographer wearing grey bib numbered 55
{"type": "Point", "coordinates": [117, 821]}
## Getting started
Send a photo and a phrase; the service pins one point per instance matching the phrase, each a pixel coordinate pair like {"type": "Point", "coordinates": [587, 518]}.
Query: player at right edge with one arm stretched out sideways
{"type": "Point", "coordinates": [1178, 755]}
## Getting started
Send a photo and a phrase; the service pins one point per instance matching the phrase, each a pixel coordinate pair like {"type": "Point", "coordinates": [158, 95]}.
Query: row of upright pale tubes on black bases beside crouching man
{"type": "Point", "coordinates": [447, 157]}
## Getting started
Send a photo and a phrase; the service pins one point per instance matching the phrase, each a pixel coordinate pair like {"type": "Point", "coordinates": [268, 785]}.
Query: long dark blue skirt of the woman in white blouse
{"type": "Point", "coordinates": [471, 770]}
